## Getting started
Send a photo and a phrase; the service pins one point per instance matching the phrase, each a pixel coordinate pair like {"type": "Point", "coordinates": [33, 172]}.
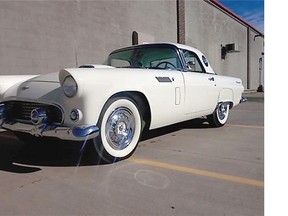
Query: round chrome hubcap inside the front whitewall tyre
{"type": "Point", "coordinates": [120, 128]}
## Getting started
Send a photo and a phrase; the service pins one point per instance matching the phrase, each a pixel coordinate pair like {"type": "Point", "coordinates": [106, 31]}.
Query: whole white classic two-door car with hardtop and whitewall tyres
{"type": "Point", "coordinates": [140, 87]}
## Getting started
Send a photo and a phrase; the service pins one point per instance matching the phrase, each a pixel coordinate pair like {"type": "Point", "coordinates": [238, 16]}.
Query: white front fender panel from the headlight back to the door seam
{"type": "Point", "coordinates": [96, 86]}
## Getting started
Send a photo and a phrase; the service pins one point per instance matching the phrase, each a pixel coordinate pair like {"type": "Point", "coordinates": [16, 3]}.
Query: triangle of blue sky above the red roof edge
{"type": "Point", "coordinates": [251, 11]}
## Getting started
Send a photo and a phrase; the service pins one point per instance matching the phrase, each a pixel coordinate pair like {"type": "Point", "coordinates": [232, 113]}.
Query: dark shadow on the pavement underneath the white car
{"type": "Point", "coordinates": [17, 157]}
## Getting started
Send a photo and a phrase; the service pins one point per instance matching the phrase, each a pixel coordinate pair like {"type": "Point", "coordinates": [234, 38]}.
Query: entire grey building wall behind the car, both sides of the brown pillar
{"type": "Point", "coordinates": [39, 37]}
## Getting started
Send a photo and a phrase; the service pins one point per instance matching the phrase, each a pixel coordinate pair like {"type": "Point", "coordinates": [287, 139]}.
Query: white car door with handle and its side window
{"type": "Point", "coordinates": [200, 87]}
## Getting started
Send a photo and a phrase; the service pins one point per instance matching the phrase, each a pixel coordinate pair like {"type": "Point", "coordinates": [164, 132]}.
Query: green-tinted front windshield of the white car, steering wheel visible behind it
{"type": "Point", "coordinates": [145, 57]}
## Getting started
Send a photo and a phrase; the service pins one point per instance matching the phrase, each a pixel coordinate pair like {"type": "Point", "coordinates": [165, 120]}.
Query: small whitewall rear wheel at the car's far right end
{"type": "Point", "coordinates": [220, 115]}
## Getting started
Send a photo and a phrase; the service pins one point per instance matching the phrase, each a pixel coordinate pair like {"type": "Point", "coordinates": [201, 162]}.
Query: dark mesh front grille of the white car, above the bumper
{"type": "Point", "coordinates": [21, 111]}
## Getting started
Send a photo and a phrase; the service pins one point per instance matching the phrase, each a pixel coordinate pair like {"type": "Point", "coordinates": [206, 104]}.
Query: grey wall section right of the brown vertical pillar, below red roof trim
{"type": "Point", "coordinates": [208, 28]}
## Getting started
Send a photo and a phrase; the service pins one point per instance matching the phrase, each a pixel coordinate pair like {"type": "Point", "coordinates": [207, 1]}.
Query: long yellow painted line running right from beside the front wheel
{"type": "Point", "coordinates": [215, 175]}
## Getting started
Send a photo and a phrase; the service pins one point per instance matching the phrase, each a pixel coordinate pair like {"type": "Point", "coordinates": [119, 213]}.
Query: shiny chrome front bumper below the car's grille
{"type": "Point", "coordinates": [76, 133]}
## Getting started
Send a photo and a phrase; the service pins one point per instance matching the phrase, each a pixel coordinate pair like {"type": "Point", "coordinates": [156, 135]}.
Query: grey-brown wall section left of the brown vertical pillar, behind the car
{"type": "Point", "coordinates": [39, 37]}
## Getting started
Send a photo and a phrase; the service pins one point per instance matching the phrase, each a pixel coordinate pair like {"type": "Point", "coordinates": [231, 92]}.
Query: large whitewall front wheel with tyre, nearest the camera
{"type": "Point", "coordinates": [120, 129]}
